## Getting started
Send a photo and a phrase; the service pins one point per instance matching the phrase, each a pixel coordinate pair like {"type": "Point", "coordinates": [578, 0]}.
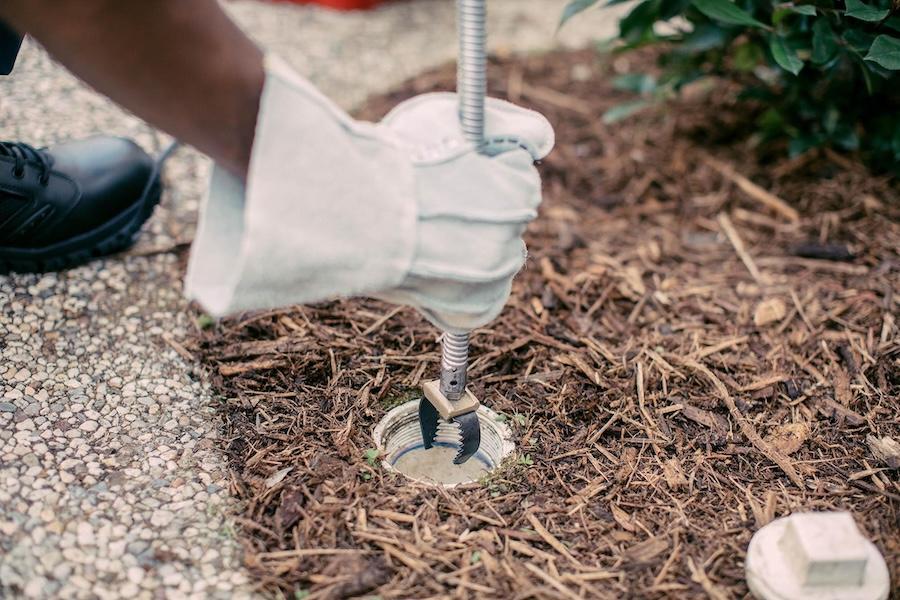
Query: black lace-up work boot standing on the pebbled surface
{"type": "Point", "coordinates": [62, 206]}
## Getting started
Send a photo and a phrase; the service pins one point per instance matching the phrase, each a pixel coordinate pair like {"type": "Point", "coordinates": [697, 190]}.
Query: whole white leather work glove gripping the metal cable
{"type": "Point", "coordinates": [404, 210]}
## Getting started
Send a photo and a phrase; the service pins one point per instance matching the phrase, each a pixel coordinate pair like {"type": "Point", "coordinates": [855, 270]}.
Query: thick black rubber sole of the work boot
{"type": "Point", "coordinates": [113, 236]}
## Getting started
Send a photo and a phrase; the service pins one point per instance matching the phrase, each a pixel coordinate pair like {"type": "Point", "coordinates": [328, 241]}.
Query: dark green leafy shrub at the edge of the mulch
{"type": "Point", "coordinates": [826, 71]}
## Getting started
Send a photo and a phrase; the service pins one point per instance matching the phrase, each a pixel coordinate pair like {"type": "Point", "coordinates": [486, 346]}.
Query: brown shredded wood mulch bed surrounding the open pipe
{"type": "Point", "coordinates": [702, 340]}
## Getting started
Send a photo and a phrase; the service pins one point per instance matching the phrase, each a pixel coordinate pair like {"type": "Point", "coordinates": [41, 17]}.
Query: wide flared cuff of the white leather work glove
{"type": "Point", "coordinates": [328, 209]}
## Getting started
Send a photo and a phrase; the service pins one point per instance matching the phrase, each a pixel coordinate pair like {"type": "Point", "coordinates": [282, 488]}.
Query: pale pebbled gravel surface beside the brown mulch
{"type": "Point", "coordinates": [111, 481]}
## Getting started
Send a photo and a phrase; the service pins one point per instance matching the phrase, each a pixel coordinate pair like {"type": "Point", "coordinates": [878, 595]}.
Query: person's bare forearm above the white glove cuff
{"type": "Point", "coordinates": [182, 65]}
